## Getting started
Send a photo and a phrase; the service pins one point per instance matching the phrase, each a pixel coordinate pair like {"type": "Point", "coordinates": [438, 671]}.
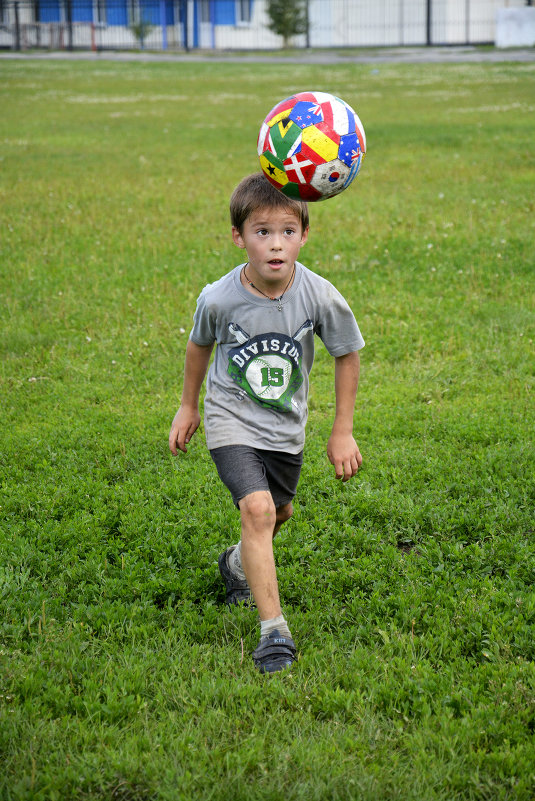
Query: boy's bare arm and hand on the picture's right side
{"type": "Point", "coordinates": [342, 449]}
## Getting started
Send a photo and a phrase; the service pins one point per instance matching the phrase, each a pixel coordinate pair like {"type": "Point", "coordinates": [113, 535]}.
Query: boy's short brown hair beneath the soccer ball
{"type": "Point", "coordinates": [255, 192]}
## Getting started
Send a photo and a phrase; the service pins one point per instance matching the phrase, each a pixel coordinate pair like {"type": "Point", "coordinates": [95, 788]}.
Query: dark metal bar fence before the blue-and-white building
{"type": "Point", "coordinates": [243, 24]}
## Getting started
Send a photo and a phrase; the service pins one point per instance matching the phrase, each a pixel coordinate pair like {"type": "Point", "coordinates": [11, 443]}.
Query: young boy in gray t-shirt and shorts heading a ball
{"type": "Point", "coordinates": [263, 316]}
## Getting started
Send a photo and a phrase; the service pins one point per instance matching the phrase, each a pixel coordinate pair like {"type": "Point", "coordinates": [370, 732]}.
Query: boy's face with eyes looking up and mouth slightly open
{"type": "Point", "coordinates": [272, 239]}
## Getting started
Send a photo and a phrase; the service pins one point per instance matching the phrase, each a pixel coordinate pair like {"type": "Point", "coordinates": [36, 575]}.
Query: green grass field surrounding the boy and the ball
{"type": "Point", "coordinates": [409, 591]}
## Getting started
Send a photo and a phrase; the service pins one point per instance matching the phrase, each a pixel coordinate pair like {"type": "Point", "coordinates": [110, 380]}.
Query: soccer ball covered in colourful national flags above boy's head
{"type": "Point", "coordinates": [311, 146]}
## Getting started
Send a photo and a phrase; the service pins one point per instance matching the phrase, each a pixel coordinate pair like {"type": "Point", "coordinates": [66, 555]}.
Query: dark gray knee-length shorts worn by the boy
{"type": "Point", "coordinates": [244, 470]}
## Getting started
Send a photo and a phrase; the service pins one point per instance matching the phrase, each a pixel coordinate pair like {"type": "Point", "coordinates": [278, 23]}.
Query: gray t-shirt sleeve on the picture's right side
{"type": "Point", "coordinates": [337, 327]}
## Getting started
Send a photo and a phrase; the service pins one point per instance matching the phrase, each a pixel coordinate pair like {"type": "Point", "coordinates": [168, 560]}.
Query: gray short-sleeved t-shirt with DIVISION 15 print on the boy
{"type": "Point", "coordinates": [257, 385]}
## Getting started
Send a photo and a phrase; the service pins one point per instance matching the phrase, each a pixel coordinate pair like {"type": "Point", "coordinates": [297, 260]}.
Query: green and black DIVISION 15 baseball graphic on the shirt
{"type": "Point", "coordinates": [268, 368]}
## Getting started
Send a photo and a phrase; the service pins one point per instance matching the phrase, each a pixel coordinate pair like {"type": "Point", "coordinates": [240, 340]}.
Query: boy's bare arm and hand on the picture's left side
{"type": "Point", "coordinates": [187, 419]}
